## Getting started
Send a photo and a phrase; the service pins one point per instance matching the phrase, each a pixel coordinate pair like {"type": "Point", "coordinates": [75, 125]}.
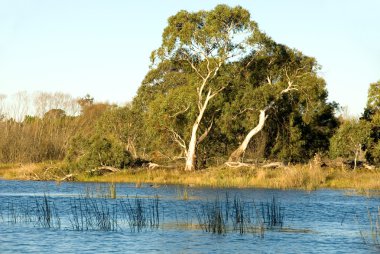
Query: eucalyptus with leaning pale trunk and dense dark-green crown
{"type": "Point", "coordinates": [282, 83]}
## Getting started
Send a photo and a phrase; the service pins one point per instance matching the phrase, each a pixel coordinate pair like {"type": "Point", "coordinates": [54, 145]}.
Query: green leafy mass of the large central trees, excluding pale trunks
{"type": "Point", "coordinates": [299, 124]}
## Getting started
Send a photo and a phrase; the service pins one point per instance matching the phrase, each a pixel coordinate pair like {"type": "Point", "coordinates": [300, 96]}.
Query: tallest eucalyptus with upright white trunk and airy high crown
{"type": "Point", "coordinates": [204, 42]}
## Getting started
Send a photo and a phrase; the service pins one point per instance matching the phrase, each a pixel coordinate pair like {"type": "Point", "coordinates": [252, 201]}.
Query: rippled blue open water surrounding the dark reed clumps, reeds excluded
{"type": "Point", "coordinates": [323, 221]}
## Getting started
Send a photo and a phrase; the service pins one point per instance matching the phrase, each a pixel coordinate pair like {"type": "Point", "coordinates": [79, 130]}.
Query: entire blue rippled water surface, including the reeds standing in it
{"type": "Point", "coordinates": [41, 217]}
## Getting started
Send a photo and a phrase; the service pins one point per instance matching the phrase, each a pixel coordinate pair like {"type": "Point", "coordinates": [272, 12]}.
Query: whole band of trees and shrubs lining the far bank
{"type": "Point", "coordinates": [219, 90]}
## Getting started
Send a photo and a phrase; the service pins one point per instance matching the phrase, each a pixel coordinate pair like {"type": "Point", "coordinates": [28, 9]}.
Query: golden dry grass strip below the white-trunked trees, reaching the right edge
{"type": "Point", "coordinates": [307, 177]}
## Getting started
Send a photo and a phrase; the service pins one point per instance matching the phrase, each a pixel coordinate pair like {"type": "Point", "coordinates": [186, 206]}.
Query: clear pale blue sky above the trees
{"type": "Point", "coordinates": [103, 47]}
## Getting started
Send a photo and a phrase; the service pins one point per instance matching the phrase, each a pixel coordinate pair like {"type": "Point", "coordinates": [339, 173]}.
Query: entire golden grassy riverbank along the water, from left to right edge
{"type": "Point", "coordinates": [305, 177]}
